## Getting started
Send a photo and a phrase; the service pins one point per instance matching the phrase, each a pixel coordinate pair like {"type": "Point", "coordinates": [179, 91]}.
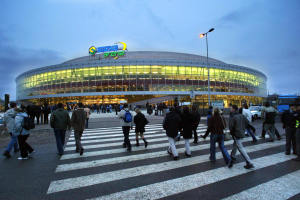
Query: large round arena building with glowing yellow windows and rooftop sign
{"type": "Point", "coordinates": [137, 77]}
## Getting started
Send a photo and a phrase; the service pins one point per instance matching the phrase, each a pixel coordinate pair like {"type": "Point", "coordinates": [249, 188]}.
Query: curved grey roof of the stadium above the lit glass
{"type": "Point", "coordinates": [143, 58]}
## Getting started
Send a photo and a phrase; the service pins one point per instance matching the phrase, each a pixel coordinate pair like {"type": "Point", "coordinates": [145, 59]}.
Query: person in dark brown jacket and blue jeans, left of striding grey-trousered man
{"type": "Point", "coordinates": [216, 126]}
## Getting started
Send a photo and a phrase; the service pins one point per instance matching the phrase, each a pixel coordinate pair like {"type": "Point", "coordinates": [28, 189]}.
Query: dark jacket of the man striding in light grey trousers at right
{"type": "Point", "coordinates": [237, 125]}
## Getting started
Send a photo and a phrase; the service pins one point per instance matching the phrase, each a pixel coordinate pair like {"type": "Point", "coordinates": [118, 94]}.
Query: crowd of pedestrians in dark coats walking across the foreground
{"type": "Point", "coordinates": [178, 122]}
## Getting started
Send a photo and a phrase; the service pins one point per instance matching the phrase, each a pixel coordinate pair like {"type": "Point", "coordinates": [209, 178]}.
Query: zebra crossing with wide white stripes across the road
{"type": "Point", "coordinates": [107, 171]}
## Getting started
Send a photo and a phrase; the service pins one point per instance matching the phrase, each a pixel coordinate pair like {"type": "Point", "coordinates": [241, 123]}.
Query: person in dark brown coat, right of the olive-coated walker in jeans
{"type": "Point", "coordinates": [78, 121]}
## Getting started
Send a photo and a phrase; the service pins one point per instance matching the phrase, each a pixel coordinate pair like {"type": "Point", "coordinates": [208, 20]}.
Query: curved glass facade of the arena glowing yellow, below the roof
{"type": "Point", "coordinates": [138, 78]}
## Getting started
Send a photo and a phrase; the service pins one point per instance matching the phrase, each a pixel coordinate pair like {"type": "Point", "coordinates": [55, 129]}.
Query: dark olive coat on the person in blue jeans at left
{"type": "Point", "coordinates": [60, 119]}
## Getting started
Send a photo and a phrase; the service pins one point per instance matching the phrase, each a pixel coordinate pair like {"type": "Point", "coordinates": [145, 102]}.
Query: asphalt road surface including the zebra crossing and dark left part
{"type": "Point", "coordinates": [107, 171]}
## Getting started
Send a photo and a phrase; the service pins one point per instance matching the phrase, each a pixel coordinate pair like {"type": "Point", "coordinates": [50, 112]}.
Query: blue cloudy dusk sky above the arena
{"type": "Point", "coordinates": [263, 35]}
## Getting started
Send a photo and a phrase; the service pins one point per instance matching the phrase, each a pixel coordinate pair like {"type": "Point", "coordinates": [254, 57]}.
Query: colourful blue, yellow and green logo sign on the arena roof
{"type": "Point", "coordinates": [110, 51]}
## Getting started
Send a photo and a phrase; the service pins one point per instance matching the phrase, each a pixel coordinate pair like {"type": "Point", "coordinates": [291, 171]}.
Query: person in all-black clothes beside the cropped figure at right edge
{"type": "Point", "coordinates": [288, 119]}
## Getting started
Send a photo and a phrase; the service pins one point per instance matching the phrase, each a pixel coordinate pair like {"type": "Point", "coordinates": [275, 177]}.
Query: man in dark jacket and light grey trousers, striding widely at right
{"type": "Point", "coordinates": [237, 127]}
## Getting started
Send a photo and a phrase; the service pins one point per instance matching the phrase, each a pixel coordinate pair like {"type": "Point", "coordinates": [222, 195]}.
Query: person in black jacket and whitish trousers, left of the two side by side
{"type": "Point", "coordinates": [172, 124]}
